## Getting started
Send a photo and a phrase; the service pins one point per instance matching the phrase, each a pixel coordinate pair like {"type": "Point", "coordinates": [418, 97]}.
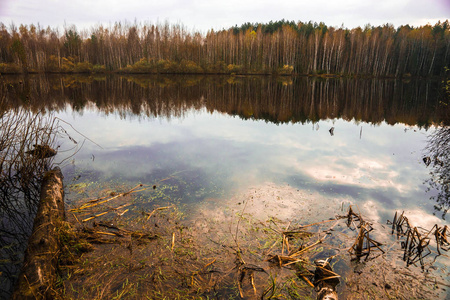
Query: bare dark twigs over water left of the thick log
{"type": "Point", "coordinates": [20, 180]}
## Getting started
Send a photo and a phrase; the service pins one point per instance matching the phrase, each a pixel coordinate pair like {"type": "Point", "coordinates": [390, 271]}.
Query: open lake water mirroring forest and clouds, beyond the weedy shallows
{"type": "Point", "coordinates": [338, 141]}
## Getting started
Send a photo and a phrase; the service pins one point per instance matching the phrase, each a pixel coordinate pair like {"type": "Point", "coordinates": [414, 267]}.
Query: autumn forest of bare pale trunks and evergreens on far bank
{"type": "Point", "coordinates": [281, 47]}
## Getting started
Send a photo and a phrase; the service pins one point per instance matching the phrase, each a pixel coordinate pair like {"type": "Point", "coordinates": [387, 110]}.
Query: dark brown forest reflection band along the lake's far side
{"type": "Point", "coordinates": [278, 100]}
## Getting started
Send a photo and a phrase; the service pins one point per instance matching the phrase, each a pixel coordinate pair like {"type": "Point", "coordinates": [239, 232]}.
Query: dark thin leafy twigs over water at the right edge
{"type": "Point", "coordinates": [438, 159]}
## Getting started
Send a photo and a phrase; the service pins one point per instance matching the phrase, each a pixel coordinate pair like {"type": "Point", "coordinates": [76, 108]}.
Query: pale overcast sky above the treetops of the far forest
{"type": "Point", "coordinates": [202, 15]}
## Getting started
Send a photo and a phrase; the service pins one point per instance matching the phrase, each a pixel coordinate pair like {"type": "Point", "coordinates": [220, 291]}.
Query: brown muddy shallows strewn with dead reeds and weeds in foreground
{"type": "Point", "coordinates": [260, 244]}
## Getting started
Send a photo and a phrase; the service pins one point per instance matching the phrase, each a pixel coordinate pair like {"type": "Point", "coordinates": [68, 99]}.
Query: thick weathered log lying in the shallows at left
{"type": "Point", "coordinates": [38, 274]}
